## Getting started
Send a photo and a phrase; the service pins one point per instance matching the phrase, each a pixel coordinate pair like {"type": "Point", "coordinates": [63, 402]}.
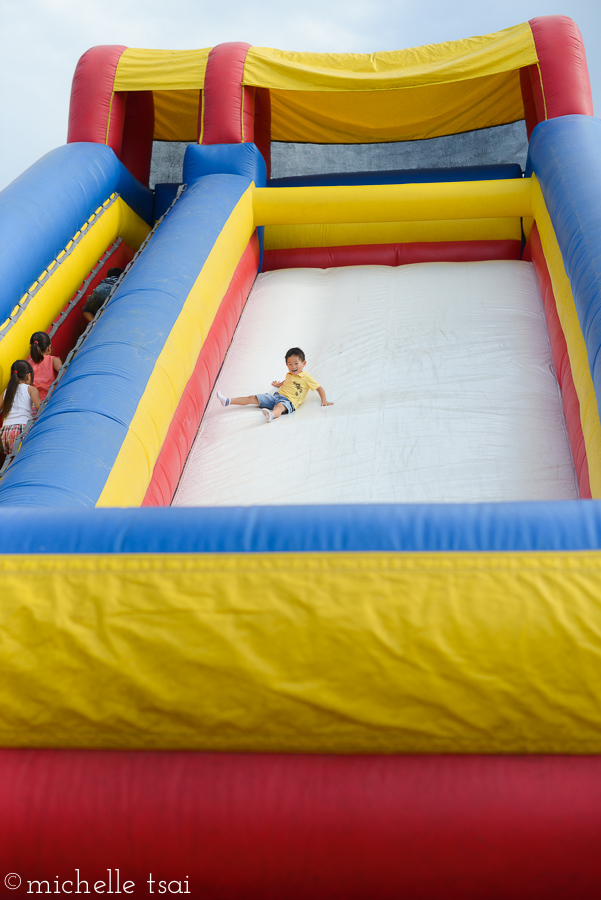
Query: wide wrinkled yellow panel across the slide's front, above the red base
{"type": "Point", "coordinates": [312, 652]}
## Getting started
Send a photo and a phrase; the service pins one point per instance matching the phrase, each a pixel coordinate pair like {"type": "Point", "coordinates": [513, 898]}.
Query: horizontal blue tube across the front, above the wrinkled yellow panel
{"type": "Point", "coordinates": [382, 528]}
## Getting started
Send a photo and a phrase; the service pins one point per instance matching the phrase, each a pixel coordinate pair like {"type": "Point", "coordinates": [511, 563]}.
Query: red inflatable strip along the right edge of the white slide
{"type": "Point", "coordinates": [561, 362]}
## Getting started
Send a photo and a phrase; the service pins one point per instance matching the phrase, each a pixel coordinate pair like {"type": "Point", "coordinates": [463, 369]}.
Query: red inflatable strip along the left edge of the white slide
{"type": "Point", "coordinates": [191, 407]}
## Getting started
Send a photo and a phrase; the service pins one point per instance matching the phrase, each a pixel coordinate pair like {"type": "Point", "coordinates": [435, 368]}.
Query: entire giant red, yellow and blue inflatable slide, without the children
{"type": "Point", "coordinates": [355, 652]}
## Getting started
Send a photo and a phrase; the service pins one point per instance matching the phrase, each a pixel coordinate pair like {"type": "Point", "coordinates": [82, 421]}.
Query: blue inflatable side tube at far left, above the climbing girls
{"type": "Point", "coordinates": [45, 206]}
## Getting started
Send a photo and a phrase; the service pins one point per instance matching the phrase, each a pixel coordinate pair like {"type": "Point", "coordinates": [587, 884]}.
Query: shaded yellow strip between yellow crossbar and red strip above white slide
{"type": "Point", "coordinates": [284, 237]}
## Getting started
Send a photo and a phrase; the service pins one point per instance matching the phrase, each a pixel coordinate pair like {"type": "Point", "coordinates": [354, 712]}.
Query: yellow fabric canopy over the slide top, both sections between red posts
{"type": "Point", "coordinates": [334, 98]}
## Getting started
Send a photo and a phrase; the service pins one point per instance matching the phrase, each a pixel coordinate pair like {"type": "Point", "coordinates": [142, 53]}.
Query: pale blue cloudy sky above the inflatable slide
{"type": "Point", "coordinates": [43, 40]}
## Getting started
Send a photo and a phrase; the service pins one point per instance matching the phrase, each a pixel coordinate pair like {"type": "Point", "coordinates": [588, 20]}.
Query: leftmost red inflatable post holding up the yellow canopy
{"type": "Point", "coordinates": [93, 102]}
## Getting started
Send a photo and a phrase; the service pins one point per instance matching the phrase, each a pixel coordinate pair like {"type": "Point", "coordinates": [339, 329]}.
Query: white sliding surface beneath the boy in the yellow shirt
{"type": "Point", "coordinates": [442, 381]}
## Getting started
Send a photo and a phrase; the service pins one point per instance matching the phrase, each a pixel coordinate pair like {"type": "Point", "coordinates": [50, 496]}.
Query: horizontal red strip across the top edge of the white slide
{"type": "Point", "coordinates": [390, 254]}
